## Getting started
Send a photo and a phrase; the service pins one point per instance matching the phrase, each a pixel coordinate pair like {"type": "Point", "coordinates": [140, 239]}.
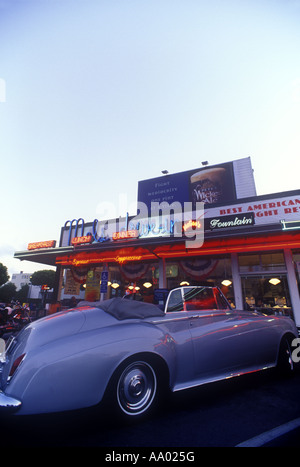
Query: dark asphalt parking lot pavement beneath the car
{"type": "Point", "coordinates": [223, 414]}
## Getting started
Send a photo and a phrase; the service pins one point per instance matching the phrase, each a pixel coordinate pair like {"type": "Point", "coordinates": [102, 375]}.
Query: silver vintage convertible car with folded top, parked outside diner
{"type": "Point", "coordinates": [127, 353]}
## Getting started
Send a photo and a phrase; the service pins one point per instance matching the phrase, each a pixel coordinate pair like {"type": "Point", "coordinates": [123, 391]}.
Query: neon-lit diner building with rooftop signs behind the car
{"type": "Point", "coordinates": [205, 226]}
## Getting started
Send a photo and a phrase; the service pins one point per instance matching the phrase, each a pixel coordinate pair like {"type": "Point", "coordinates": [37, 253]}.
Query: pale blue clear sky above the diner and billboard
{"type": "Point", "coordinates": [96, 95]}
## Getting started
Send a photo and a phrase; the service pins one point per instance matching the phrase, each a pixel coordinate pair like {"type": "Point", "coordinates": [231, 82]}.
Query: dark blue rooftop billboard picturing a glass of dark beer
{"type": "Point", "coordinates": [209, 185]}
